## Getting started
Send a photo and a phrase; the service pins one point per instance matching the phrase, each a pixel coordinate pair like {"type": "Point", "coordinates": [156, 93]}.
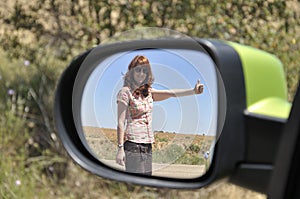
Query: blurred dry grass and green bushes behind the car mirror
{"type": "Point", "coordinates": [40, 37]}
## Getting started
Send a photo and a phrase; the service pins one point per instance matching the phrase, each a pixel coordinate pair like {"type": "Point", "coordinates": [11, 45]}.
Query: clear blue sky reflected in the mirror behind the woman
{"type": "Point", "coordinates": [172, 69]}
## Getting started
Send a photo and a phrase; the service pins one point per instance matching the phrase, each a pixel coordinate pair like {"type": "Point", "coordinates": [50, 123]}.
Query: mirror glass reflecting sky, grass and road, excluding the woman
{"type": "Point", "coordinates": [184, 128]}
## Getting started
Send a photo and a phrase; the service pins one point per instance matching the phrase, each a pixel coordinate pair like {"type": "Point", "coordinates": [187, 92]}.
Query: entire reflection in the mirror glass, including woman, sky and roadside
{"type": "Point", "coordinates": [183, 127]}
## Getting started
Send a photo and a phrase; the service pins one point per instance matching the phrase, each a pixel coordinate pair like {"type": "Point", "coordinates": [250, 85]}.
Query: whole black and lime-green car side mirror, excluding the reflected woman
{"type": "Point", "coordinates": [194, 143]}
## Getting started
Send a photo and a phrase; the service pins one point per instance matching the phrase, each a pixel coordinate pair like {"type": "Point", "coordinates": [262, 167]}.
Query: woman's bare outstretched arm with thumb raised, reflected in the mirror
{"type": "Point", "coordinates": [159, 95]}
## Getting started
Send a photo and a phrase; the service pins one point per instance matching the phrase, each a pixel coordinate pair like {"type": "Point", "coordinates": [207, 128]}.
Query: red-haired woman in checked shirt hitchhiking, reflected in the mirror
{"type": "Point", "coordinates": [135, 103]}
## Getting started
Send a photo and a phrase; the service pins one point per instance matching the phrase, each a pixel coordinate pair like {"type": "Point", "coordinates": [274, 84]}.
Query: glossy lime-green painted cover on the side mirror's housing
{"type": "Point", "coordinates": [264, 96]}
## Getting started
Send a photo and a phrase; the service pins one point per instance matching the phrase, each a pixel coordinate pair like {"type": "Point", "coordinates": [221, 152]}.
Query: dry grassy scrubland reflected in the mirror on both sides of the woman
{"type": "Point", "coordinates": [171, 147]}
